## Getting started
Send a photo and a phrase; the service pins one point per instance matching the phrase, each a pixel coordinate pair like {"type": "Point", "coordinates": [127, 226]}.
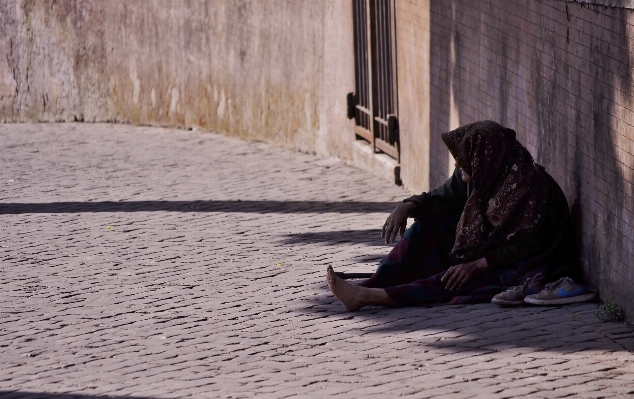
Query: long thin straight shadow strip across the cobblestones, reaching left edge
{"type": "Point", "coordinates": [238, 206]}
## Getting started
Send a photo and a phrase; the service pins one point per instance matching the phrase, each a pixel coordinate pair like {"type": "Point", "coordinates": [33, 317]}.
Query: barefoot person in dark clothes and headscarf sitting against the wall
{"type": "Point", "coordinates": [497, 221]}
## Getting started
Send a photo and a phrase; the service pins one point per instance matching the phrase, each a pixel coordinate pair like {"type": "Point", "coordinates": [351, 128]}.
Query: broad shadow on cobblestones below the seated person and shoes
{"type": "Point", "coordinates": [484, 327]}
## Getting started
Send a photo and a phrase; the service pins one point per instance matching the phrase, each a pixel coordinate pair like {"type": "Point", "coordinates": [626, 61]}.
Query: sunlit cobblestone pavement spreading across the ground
{"type": "Point", "coordinates": [146, 262]}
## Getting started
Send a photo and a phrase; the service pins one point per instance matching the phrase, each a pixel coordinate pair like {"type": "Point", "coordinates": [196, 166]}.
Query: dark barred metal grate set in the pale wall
{"type": "Point", "coordinates": [375, 75]}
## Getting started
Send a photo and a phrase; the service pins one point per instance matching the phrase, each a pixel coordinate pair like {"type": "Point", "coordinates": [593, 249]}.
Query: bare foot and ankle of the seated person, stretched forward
{"type": "Point", "coordinates": [354, 297]}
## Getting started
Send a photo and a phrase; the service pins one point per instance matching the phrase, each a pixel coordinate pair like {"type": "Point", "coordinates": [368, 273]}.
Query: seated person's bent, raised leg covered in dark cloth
{"type": "Point", "coordinates": [420, 254]}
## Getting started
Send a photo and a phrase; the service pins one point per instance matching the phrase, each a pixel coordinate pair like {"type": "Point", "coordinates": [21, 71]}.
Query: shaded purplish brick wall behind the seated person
{"type": "Point", "coordinates": [559, 73]}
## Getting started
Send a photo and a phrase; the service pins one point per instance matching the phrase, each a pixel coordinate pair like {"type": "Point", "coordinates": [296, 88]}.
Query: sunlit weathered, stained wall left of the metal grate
{"type": "Point", "coordinates": [275, 70]}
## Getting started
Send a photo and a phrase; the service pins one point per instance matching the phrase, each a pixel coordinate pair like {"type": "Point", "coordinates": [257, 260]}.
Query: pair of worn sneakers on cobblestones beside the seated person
{"type": "Point", "coordinates": [533, 291]}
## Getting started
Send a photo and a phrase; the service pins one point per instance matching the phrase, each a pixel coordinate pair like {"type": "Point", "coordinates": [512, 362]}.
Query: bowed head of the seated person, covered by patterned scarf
{"type": "Point", "coordinates": [482, 149]}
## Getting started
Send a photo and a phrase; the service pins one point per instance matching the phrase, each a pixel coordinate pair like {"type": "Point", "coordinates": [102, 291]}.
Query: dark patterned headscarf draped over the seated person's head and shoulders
{"type": "Point", "coordinates": [510, 193]}
